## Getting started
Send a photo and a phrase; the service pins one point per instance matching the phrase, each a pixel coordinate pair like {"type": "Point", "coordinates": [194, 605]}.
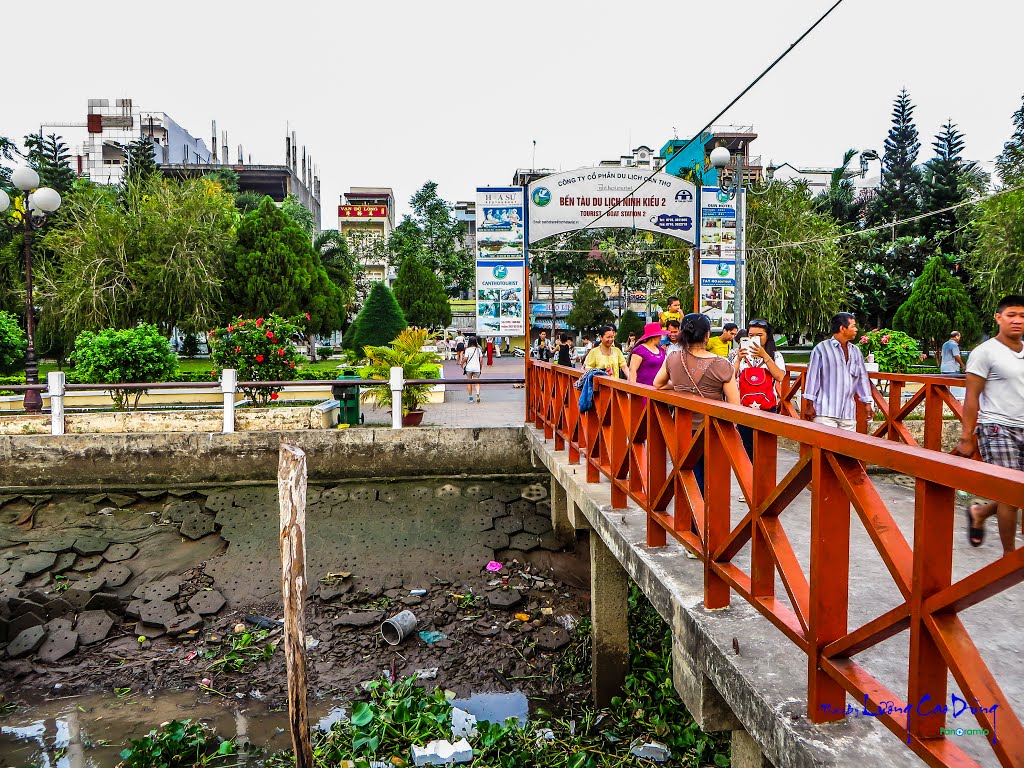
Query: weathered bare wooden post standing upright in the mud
{"type": "Point", "coordinates": [292, 495]}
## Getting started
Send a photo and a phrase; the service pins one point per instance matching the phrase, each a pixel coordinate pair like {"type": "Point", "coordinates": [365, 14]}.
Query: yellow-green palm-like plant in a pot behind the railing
{"type": "Point", "coordinates": [405, 353]}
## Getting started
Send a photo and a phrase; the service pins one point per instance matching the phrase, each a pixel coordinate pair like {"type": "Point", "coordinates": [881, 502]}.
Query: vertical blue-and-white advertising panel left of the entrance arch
{"type": "Point", "coordinates": [501, 262]}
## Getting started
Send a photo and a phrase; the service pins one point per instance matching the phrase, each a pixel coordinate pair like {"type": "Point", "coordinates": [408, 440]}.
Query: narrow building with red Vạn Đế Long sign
{"type": "Point", "coordinates": [366, 218]}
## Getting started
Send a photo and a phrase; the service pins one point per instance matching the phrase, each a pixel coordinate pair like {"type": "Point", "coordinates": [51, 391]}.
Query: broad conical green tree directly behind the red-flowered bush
{"type": "Point", "coordinates": [275, 270]}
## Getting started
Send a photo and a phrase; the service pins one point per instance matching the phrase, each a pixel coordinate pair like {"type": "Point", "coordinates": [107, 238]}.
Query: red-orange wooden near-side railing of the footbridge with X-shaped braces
{"type": "Point", "coordinates": [643, 443]}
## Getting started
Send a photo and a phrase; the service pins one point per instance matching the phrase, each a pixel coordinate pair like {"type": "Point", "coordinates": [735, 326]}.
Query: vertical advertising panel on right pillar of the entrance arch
{"type": "Point", "coordinates": [718, 258]}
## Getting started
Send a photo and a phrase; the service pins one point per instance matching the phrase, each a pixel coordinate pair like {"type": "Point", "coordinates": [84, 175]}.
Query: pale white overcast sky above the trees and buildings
{"type": "Point", "coordinates": [393, 94]}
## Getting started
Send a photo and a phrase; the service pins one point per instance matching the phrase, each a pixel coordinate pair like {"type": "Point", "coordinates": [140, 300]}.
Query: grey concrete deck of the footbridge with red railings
{"type": "Point", "coordinates": [766, 684]}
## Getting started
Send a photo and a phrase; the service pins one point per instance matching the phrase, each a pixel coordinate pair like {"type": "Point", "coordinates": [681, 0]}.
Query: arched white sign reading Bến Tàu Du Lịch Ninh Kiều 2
{"type": "Point", "coordinates": [570, 201]}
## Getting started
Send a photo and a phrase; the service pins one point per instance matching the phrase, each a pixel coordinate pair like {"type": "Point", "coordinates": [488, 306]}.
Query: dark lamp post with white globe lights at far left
{"type": "Point", "coordinates": [37, 203]}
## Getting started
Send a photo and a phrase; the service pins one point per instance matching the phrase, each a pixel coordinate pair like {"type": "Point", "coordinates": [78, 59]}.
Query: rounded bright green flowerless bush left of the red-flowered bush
{"type": "Point", "coordinates": [138, 355]}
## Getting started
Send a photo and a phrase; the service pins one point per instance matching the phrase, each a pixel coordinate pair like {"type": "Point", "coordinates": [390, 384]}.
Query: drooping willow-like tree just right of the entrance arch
{"type": "Point", "coordinates": [795, 287]}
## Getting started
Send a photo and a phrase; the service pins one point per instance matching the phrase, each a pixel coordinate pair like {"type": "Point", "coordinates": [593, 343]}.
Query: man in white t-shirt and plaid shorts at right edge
{"type": "Point", "coordinates": [994, 415]}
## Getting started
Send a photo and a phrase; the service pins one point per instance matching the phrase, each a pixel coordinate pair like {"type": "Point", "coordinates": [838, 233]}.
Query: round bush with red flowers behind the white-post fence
{"type": "Point", "coordinates": [261, 350]}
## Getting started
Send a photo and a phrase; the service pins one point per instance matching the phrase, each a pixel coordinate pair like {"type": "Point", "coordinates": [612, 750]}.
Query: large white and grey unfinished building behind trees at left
{"type": "Point", "coordinates": [99, 149]}
